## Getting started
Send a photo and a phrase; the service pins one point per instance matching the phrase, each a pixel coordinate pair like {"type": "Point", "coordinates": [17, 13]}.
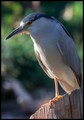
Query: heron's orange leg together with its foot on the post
{"type": "Point", "coordinates": [57, 93]}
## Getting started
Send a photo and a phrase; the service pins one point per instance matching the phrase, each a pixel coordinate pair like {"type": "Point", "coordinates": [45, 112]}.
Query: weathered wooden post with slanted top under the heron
{"type": "Point", "coordinates": [69, 106]}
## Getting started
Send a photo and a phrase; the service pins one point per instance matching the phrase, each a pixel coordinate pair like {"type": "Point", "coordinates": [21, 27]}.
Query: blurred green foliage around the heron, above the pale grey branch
{"type": "Point", "coordinates": [17, 54]}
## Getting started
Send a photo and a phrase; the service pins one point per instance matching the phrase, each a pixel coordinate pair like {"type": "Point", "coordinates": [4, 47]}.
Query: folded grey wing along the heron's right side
{"type": "Point", "coordinates": [68, 50]}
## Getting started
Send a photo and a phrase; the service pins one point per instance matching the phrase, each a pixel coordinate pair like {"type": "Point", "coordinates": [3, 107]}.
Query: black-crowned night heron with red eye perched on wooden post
{"type": "Point", "coordinates": [54, 49]}
